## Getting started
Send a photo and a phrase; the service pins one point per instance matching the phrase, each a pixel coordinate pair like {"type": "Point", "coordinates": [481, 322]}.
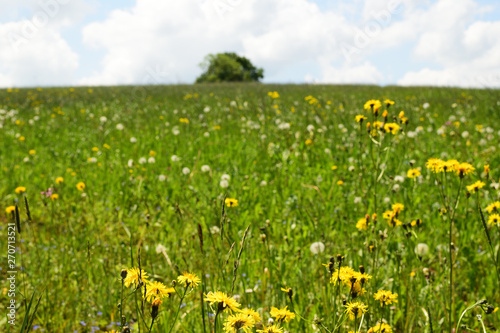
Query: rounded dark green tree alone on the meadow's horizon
{"type": "Point", "coordinates": [229, 67]}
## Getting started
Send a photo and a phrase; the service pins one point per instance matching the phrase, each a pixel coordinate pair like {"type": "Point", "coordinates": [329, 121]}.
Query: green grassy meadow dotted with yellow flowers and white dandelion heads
{"type": "Point", "coordinates": [121, 174]}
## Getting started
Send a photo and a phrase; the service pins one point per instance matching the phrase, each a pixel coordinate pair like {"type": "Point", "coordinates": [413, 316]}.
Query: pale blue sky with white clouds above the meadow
{"type": "Point", "coordinates": [133, 42]}
